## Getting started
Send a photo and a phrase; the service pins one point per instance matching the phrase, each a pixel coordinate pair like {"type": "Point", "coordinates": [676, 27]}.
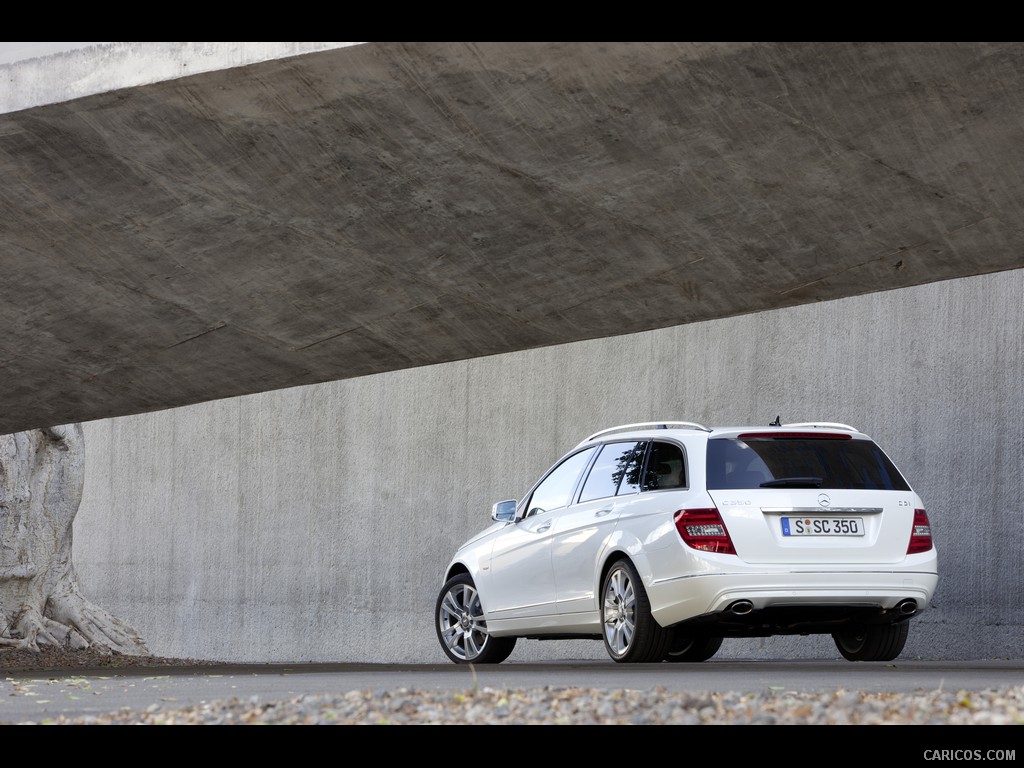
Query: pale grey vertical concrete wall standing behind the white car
{"type": "Point", "coordinates": [314, 524]}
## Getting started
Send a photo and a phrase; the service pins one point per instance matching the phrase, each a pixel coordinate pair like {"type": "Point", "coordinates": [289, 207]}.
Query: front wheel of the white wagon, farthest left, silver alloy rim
{"type": "Point", "coordinates": [460, 626]}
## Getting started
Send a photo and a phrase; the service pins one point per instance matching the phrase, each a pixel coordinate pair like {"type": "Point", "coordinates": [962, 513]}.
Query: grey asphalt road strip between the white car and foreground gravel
{"type": "Point", "coordinates": [35, 698]}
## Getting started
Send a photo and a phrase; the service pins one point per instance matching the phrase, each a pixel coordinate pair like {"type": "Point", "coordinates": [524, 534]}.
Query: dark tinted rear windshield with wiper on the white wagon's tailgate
{"type": "Point", "coordinates": [838, 463]}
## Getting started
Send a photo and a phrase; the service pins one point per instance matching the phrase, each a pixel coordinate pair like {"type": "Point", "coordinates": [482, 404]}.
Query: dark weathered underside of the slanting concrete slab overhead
{"type": "Point", "coordinates": [389, 206]}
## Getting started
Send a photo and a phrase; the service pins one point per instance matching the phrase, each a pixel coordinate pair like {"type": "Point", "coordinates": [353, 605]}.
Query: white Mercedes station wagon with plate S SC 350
{"type": "Point", "coordinates": [662, 539]}
